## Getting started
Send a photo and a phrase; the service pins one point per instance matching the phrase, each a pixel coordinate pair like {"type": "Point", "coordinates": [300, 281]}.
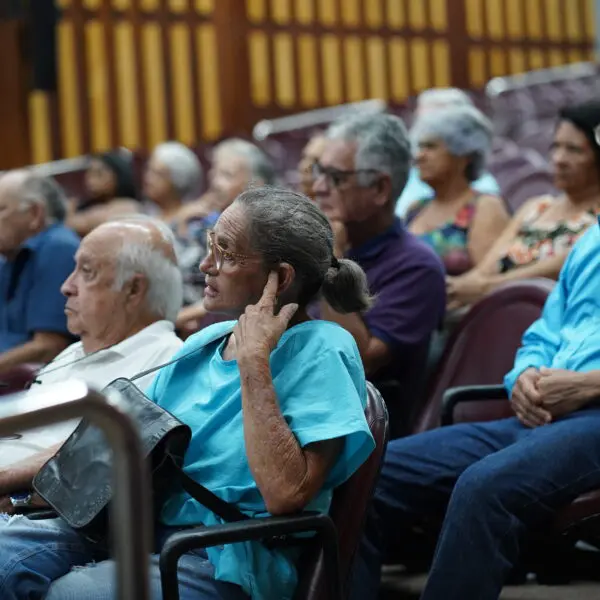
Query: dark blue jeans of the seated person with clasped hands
{"type": "Point", "coordinates": [495, 480]}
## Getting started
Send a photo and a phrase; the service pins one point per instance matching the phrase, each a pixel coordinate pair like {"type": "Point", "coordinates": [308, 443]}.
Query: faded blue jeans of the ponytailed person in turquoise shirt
{"type": "Point", "coordinates": [47, 559]}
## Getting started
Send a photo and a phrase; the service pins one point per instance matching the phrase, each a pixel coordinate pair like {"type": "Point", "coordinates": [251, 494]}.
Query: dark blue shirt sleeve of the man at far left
{"type": "Point", "coordinates": [45, 302]}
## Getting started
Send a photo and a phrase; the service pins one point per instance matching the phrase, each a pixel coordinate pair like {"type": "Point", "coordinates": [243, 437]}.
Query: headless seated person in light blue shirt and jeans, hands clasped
{"type": "Point", "coordinates": [498, 480]}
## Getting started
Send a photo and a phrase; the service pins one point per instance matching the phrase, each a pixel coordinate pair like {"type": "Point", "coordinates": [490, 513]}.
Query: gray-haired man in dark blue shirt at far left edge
{"type": "Point", "coordinates": [36, 256]}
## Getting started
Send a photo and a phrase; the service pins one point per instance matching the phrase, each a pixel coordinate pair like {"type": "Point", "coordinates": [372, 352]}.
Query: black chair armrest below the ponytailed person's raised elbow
{"type": "Point", "coordinates": [266, 528]}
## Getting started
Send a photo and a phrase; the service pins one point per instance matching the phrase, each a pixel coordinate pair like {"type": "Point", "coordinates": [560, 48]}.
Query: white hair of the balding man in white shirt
{"type": "Point", "coordinates": [139, 255]}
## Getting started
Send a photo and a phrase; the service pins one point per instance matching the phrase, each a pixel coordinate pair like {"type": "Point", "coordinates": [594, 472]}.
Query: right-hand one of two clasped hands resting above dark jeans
{"type": "Point", "coordinates": [561, 391]}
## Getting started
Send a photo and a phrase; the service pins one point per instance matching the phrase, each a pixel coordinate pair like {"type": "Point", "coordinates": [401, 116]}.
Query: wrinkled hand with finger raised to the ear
{"type": "Point", "coordinates": [259, 329]}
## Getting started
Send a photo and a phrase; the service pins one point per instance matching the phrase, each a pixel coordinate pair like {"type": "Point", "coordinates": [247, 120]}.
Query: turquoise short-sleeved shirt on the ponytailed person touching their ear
{"type": "Point", "coordinates": [320, 385]}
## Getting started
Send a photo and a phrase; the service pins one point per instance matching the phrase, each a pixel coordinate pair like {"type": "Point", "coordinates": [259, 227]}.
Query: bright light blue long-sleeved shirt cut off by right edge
{"type": "Point", "coordinates": [567, 335]}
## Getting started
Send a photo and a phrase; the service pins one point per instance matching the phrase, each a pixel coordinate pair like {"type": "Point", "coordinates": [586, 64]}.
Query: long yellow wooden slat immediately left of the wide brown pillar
{"type": "Point", "coordinates": [208, 77]}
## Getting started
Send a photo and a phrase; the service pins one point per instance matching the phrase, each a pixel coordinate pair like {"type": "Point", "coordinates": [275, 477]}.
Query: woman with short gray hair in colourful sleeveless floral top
{"type": "Point", "coordinates": [460, 224]}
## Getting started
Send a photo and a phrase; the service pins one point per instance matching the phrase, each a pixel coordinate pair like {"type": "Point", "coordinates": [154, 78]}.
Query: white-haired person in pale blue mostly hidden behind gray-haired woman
{"type": "Point", "coordinates": [430, 101]}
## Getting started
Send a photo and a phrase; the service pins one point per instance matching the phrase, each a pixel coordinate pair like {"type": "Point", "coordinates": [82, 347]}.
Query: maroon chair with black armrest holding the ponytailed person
{"type": "Point", "coordinates": [324, 570]}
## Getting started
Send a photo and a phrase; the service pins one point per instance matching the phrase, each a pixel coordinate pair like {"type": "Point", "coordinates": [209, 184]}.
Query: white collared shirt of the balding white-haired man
{"type": "Point", "coordinates": [152, 346]}
